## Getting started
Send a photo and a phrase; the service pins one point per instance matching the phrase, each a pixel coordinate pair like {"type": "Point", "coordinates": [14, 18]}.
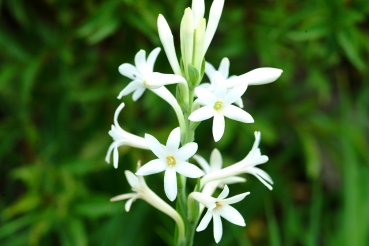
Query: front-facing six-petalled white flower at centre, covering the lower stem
{"type": "Point", "coordinates": [172, 159]}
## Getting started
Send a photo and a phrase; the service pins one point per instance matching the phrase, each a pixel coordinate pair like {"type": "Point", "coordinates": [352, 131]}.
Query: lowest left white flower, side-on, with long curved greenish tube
{"type": "Point", "coordinates": [142, 191]}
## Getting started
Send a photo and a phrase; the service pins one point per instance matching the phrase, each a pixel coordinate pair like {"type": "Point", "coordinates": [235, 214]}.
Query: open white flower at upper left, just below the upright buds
{"type": "Point", "coordinates": [143, 75]}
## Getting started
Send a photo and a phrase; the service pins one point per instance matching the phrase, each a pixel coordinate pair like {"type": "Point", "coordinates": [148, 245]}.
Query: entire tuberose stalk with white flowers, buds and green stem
{"type": "Point", "coordinates": [194, 102]}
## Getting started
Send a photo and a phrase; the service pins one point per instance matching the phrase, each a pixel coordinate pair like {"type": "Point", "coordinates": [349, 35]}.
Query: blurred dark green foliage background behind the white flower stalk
{"type": "Point", "coordinates": [58, 88]}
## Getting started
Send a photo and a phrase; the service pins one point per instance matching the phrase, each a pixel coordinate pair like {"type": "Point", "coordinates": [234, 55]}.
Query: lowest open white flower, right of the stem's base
{"type": "Point", "coordinates": [219, 207]}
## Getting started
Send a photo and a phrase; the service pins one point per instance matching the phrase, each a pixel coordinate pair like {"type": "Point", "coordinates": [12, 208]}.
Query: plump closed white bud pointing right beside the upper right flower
{"type": "Point", "coordinates": [261, 76]}
